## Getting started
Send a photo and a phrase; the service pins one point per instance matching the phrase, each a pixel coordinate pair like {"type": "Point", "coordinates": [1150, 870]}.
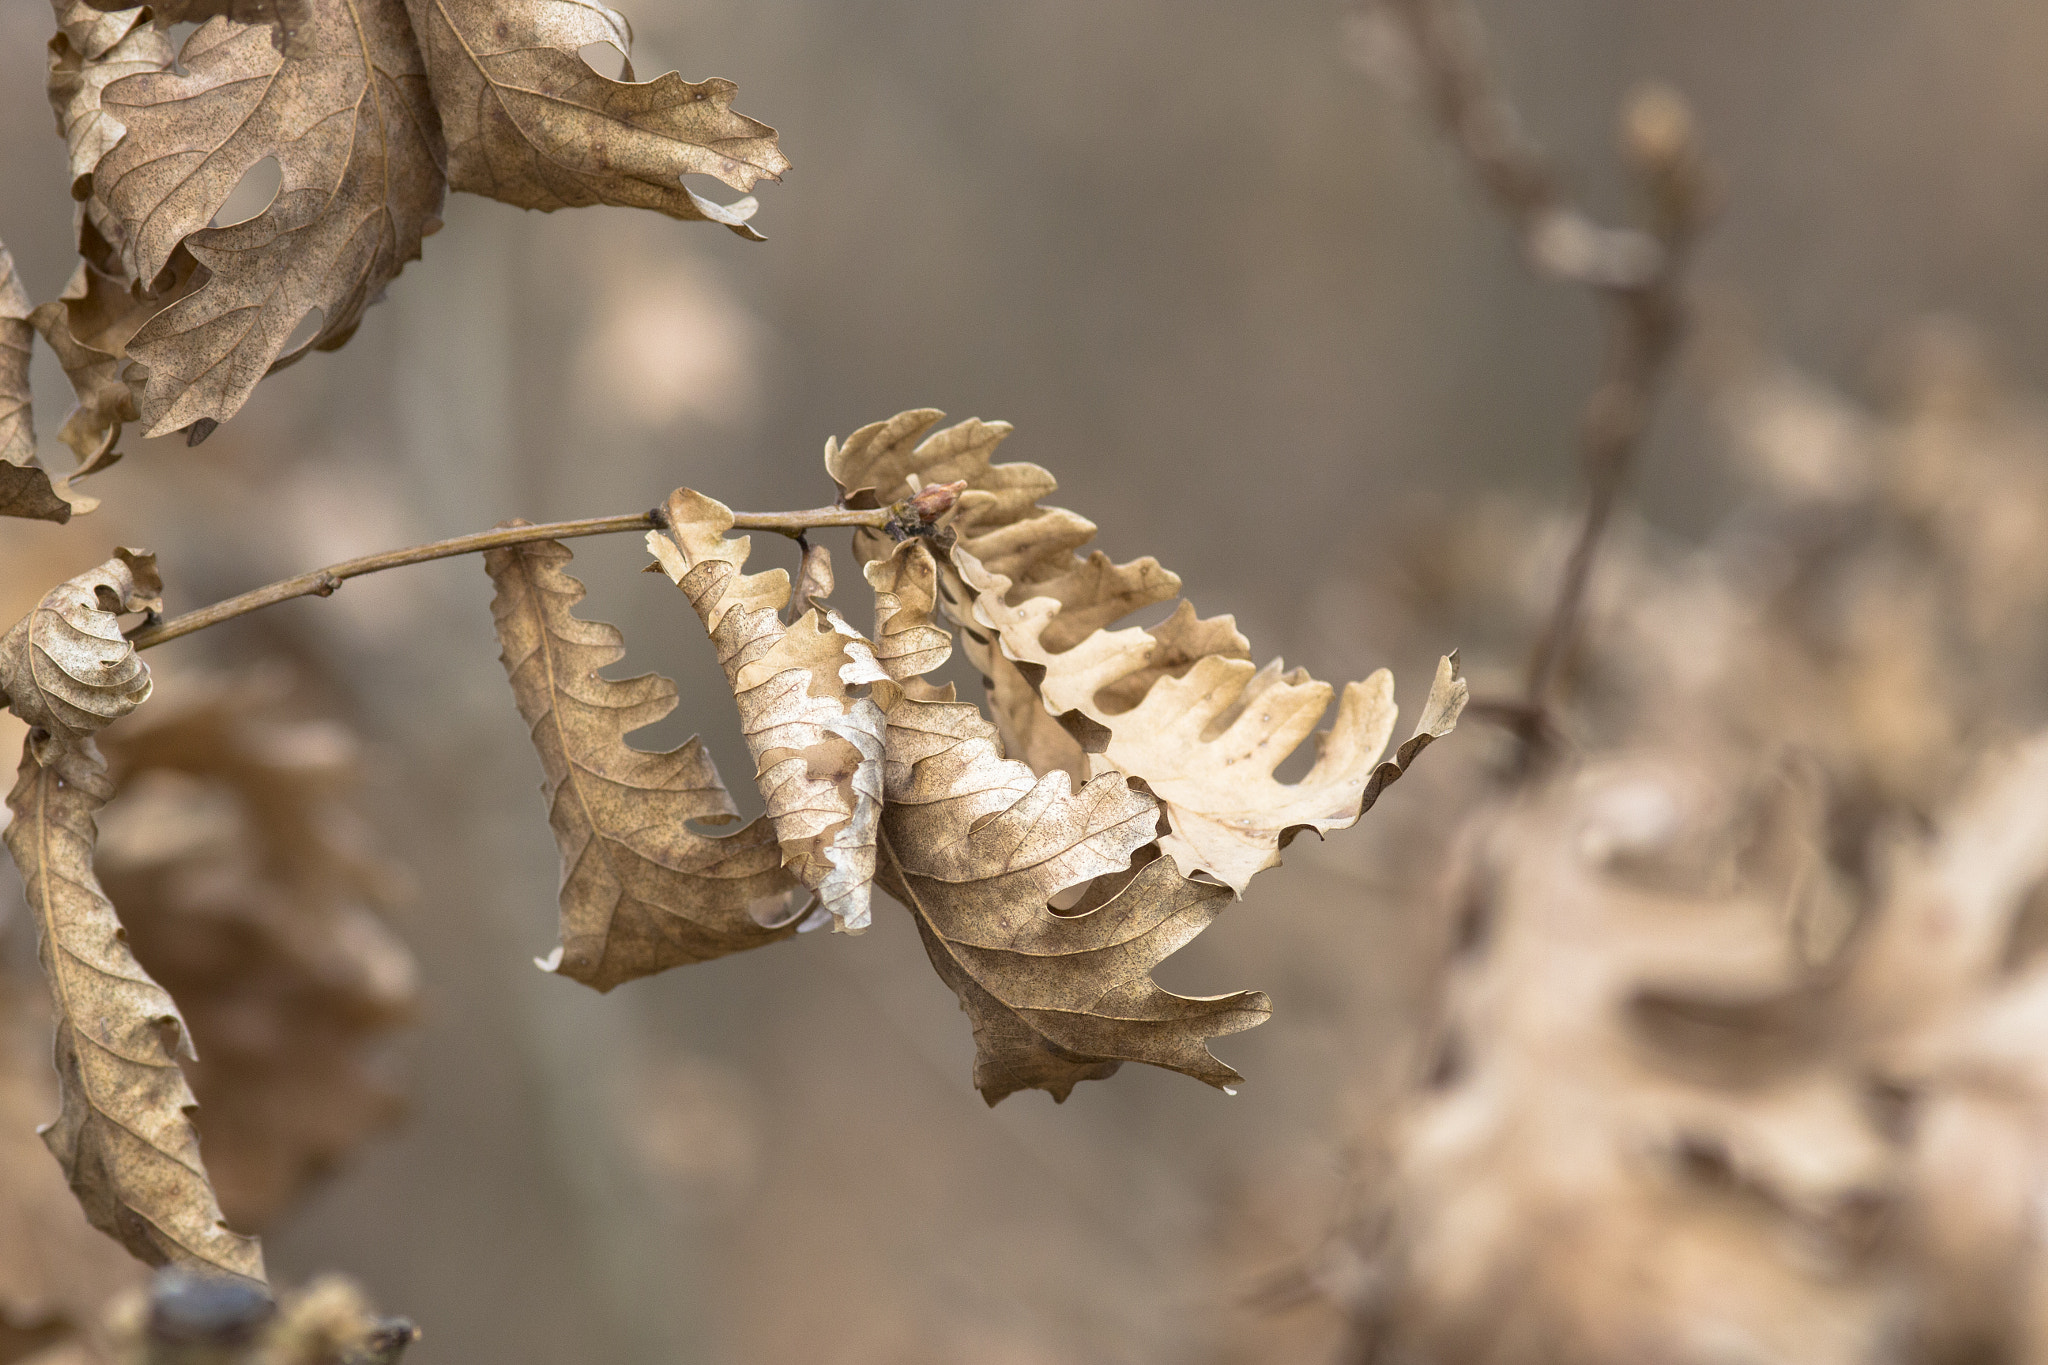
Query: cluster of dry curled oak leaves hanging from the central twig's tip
{"type": "Point", "coordinates": [1046, 895]}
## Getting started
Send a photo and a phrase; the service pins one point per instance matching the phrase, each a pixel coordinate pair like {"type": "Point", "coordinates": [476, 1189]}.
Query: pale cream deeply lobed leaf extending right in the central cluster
{"type": "Point", "coordinates": [1179, 705]}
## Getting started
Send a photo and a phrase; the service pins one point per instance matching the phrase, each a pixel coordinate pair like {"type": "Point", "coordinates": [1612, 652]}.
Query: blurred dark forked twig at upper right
{"type": "Point", "coordinates": [1441, 48]}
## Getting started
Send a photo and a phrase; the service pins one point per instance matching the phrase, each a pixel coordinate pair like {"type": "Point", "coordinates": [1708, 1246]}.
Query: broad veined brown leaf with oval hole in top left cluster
{"type": "Point", "coordinates": [345, 109]}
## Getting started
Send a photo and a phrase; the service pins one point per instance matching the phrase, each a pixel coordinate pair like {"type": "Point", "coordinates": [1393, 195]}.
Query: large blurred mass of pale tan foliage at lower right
{"type": "Point", "coordinates": [1738, 1043]}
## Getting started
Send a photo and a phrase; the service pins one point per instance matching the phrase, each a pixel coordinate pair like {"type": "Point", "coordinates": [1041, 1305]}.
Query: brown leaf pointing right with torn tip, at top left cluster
{"type": "Point", "coordinates": [531, 124]}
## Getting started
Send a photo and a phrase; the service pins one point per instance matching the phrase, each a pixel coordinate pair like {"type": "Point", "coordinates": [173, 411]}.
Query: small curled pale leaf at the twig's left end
{"type": "Point", "coordinates": [65, 668]}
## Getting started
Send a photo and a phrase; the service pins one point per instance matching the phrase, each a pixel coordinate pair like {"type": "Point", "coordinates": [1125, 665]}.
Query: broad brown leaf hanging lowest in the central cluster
{"type": "Point", "coordinates": [980, 846]}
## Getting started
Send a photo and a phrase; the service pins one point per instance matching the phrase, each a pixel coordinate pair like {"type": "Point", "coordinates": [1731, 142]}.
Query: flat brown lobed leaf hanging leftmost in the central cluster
{"type": "Point", "coordinates": [640, 889]}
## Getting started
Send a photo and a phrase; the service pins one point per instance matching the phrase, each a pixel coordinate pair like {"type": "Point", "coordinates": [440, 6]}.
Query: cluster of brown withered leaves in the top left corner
{"type": "Point", "coordinates": [370, 112]}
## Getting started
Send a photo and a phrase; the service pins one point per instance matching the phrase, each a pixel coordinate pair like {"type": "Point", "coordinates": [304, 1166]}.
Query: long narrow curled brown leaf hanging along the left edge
{"type": "Point", "coordinates": [124, 1133]}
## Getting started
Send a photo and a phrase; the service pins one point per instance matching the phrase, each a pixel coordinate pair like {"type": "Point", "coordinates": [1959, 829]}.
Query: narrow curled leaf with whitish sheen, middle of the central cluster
{"type": "Point", "coordinates": [804, 703]}
